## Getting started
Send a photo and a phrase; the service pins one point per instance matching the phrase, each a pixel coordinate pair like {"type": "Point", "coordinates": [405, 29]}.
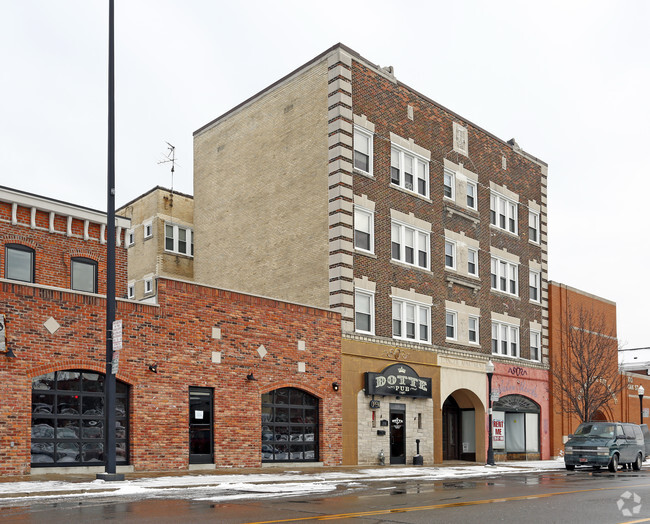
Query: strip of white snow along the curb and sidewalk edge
{"type": "Point", "coordinates": [254, 485]}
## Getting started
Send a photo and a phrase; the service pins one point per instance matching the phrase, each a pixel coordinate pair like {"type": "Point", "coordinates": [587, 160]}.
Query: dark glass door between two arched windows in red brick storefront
{"type": "Point", "coordinates": [201, 438]}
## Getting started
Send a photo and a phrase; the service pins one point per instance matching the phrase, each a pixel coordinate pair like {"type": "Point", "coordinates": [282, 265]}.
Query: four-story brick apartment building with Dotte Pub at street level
{"type": "Point", "coordinates": [340, 187]}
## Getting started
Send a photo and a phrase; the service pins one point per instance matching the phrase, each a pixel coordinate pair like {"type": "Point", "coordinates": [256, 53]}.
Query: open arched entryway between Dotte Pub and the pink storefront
{"type": "Point", "coordinates": [459, 427]}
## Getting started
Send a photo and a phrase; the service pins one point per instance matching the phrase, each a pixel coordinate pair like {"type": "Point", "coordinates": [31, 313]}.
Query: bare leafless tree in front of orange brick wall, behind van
{"type": "Point", "coordinates": [585, 372]}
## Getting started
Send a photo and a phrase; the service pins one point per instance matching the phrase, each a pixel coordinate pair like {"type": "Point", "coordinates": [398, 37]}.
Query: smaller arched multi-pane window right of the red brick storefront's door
{"type": "Point", "coordinates": [289, 426]}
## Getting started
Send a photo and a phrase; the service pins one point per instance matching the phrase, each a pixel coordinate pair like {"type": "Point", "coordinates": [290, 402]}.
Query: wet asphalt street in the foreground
{"type": "Point", "coordinates": [583, 496]}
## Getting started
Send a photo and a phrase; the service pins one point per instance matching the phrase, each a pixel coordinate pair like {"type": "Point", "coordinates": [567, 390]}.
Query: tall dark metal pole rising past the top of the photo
{"type": "Point", "coordinates": [109, 382]}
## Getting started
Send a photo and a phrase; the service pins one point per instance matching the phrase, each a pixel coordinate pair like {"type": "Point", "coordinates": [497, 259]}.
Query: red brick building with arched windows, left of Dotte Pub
{"type": "Point", "coordinates": [254, 379]}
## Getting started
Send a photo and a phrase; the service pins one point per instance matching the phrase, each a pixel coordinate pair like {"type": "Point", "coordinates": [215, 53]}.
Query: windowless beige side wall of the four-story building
{"type": "Point", "coordinates": [261, 192]}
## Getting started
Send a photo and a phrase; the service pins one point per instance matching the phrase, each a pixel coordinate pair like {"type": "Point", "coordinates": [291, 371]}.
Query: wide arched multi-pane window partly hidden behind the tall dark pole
{"type": "Point", "coordinates": [68, 419]}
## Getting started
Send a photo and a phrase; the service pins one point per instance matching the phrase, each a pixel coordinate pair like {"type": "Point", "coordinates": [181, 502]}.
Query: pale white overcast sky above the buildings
{"type": "Point", "coordinates": [569, 80]}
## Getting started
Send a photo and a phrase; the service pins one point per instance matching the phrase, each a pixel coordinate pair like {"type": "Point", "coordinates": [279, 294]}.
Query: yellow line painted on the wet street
{"type": "Point", "coordinates": [448, 505]}
